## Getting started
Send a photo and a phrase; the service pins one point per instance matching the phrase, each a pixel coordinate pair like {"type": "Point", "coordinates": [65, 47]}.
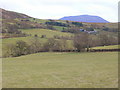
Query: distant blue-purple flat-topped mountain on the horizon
{"type": "Point", "coordinates": [85, 18]}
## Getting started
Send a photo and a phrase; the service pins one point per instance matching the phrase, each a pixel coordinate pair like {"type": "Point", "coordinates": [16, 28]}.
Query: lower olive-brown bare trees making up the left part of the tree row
{"type": "Point", "coordinates": [34, 46]}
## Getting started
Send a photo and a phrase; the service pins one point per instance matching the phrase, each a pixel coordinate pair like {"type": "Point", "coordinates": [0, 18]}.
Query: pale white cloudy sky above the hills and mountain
{"type": "Point", "coordinates": [56, 9]}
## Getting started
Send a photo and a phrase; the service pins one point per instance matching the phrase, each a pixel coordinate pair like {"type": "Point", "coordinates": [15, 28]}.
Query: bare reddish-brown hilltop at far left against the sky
{"type": "Point", "coordinates": [12, 15]}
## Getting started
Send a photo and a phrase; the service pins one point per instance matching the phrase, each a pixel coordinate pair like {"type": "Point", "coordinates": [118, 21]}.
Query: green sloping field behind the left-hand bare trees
{"type": "Point", "coordinates": [39, 32]}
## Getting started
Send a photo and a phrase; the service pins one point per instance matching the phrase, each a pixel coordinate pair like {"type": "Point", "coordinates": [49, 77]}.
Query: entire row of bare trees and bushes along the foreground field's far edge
{"type": "Point", "coordinates": [81, 42]}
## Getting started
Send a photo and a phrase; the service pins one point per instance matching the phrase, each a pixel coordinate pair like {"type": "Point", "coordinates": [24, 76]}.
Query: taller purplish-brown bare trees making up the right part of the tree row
{"type": "Point", "coordinates": [84, 41]}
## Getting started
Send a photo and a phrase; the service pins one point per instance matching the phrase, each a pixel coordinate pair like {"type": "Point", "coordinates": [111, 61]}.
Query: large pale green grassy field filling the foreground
{"type": "Point", "coordinates": [61, 70]}
